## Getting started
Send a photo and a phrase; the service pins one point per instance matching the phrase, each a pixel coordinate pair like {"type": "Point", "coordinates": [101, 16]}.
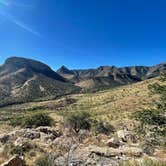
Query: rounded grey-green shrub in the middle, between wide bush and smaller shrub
{"type": "Point", "coordinates": [78, 121]}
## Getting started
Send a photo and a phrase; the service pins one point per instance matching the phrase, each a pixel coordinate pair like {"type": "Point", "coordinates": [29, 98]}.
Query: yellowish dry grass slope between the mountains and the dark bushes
{"type": "Point", "coordinates": [109, 105]}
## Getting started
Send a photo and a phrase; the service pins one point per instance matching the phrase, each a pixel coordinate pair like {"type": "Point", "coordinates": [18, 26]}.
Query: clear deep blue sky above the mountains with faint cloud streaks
{"type": "Point", "coordinates": [84, 33]}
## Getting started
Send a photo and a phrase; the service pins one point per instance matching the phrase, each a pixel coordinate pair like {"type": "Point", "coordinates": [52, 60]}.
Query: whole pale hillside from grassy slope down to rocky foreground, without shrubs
{"type": "Point", "coordinates": [110, 106]}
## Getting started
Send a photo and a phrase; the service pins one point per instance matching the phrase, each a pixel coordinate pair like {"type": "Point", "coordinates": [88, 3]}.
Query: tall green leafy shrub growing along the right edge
{"type": "Point", "coordinates": [153, 121]}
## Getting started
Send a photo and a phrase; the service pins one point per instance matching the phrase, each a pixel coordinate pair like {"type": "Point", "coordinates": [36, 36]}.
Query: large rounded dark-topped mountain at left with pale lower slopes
{"type": "Point", "coordinates": [23, 80]}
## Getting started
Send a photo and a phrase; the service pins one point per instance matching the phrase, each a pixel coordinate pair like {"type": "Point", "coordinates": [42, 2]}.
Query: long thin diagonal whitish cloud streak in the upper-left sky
{"type": "Point", "coordinates": [20, 24]}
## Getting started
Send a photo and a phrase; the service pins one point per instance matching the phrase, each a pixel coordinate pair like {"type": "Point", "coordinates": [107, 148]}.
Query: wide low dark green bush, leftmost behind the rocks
{"type": "Point", "coordinates": [33, 121]}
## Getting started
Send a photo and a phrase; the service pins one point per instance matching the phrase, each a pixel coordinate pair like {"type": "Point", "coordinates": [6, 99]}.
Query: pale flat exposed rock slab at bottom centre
{"type": "Point", "coordinates": [94, 155]}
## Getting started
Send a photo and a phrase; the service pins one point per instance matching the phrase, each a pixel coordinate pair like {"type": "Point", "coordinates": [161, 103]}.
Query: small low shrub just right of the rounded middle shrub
{"type": "Point", "coordinates": [103, 128]}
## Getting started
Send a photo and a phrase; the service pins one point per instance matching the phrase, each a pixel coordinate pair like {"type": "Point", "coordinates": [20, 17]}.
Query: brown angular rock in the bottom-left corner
{"type": "Point", "coordinates": [15, 161]}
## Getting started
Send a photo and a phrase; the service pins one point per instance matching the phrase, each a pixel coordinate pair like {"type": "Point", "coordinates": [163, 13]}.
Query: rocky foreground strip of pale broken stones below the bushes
{"type": "Point", "coordinates": [76, 150]}
